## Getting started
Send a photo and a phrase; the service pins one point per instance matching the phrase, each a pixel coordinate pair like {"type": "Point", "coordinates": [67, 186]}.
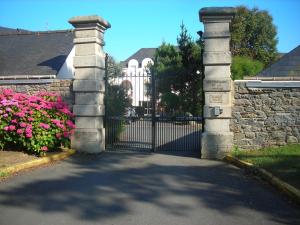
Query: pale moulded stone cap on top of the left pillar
{"type": "Point", "coordinates": [78, 21]}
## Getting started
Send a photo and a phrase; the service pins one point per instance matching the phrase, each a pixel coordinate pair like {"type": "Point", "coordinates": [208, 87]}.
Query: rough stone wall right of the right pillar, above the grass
{"type": "Point", "coordinates": [266, 114]}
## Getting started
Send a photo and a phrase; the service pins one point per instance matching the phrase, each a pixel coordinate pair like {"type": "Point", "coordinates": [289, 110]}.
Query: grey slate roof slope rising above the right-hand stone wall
{"type": "Point", "coordinates": [287, 66]}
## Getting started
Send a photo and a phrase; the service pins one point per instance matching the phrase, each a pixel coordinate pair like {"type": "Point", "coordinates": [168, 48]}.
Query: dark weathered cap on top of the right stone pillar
{"type": "Point", "coordinates": [222, 12]}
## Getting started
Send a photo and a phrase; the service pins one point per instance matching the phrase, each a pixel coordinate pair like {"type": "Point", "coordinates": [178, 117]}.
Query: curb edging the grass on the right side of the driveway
{"type": "Point", "coordinates": [282, 186]}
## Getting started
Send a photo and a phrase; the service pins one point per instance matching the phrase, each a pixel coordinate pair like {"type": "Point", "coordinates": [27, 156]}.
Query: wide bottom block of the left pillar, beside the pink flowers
{"type": "Point", "coordinates": [89, 140]}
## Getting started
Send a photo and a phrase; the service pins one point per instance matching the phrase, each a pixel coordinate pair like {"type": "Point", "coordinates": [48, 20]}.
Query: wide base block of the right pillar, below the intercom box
{"type": "Point", "coordinates": [216, 146]}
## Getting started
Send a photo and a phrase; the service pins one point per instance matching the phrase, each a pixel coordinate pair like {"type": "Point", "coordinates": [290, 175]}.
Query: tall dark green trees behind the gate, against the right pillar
{"type": "Point", "coordinates": [177, 80]}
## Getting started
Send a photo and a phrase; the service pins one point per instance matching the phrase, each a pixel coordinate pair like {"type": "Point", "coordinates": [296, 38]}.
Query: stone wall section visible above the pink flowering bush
{"type": "Point", "coordinates": [62, 87]}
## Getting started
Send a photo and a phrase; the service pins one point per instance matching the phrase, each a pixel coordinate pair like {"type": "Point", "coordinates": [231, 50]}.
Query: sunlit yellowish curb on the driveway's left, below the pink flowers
{"type": "Point", "coordinates": [37, 162]}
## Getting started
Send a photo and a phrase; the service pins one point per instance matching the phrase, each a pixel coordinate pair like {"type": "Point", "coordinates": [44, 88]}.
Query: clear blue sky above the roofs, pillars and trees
{"type": "Point", "coordinates": [142, 23]}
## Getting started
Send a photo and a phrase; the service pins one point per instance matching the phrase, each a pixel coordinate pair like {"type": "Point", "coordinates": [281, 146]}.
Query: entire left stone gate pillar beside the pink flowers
{"type": "Point", "coordinates": [89, 85]}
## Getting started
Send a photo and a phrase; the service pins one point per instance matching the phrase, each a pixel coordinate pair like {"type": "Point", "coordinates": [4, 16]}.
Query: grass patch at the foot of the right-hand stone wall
{"type": "Point", "coordinates": [283, 162]}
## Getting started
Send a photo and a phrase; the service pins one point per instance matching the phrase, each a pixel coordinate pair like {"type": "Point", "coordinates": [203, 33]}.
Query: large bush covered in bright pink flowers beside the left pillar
{"type": "Point", "coordinates": [37, 123]}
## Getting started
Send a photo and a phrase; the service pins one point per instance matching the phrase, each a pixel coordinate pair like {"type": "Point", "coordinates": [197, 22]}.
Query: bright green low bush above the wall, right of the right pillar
{"type": "Point", "coordinates": [244, 66]}
